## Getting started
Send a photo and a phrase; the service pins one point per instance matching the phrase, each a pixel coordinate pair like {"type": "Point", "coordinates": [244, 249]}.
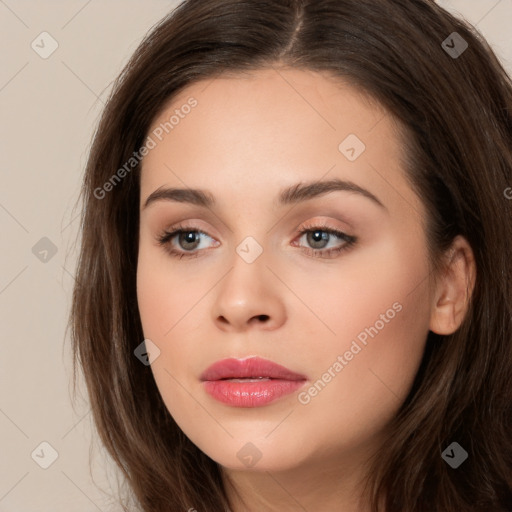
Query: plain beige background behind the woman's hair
{"type": "Point", "coordinates": [49, 108]}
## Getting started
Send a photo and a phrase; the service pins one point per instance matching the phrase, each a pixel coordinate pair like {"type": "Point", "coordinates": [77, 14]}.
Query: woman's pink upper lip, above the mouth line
{"type": "Point", "coordinates": [252, 367]}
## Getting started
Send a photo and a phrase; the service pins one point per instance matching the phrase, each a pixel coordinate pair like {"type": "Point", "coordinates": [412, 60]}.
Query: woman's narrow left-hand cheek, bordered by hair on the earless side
{"type": "Point", "coordinates": [171, 310]}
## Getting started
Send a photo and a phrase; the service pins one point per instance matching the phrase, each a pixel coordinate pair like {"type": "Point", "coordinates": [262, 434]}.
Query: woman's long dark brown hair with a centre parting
{"type": "Point", "coordinates": [455, 112]}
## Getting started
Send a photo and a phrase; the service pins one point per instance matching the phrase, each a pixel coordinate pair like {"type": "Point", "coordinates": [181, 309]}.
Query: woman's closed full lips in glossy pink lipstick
{"type": "Point", "coordinates": [251, 382]}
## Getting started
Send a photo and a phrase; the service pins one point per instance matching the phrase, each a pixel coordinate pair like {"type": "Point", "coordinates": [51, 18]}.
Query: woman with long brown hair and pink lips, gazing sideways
{"type": "Point", "coordinates": [294, 289]}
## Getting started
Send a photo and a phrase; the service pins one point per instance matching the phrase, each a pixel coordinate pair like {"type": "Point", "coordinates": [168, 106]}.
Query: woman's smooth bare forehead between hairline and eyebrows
{"type": "Point", "coordinates": [269, 128]}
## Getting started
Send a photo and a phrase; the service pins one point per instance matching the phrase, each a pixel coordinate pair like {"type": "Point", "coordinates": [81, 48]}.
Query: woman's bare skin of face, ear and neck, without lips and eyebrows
{"type": "Point", "coordinates": [249, 137]}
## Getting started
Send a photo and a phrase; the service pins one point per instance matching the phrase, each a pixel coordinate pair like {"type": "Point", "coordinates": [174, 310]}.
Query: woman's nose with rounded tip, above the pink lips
{"type": "Point", "coordinates": [249, 297]}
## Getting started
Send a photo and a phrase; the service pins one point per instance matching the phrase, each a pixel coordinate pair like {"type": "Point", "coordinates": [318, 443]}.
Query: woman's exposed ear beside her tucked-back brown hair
{"type": "Point", "coordinates": [454, 288]}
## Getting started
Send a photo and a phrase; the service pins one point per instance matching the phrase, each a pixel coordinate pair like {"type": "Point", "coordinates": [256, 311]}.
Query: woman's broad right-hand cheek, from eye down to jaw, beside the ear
{"type": "Point", "coordinates": [379, 312]}
